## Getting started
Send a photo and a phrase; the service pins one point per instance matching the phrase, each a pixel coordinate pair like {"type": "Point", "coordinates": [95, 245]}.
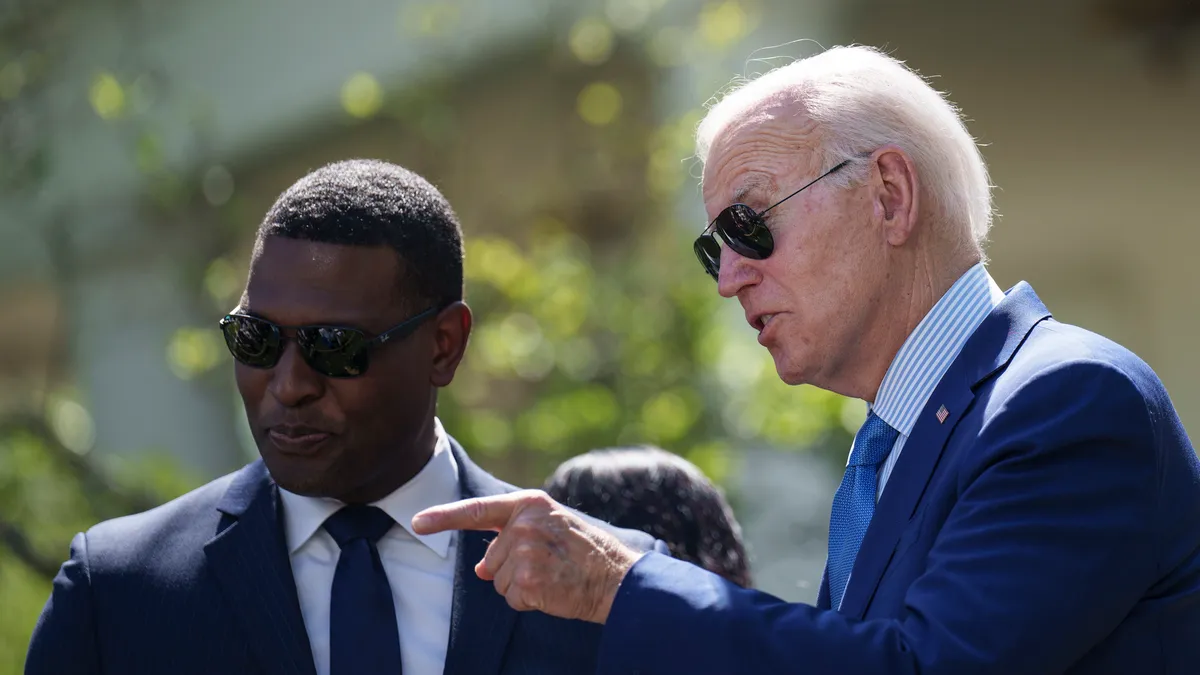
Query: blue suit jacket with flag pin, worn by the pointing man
{"type": "Point", "coordinates": [1051, 524]}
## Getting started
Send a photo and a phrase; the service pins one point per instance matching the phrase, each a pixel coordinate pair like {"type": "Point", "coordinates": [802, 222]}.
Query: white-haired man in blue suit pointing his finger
{"type": "Point", "coordinates": [1022, 498]}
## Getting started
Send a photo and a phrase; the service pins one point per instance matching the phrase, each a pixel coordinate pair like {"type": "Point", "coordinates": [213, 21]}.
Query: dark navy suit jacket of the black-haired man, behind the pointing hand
{"type": "Point", "coordinates": [203, 586]}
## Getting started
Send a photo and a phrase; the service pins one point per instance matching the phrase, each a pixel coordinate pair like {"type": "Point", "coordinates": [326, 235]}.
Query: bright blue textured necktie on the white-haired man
{"type": "Point", "coordinates": [854, 505]}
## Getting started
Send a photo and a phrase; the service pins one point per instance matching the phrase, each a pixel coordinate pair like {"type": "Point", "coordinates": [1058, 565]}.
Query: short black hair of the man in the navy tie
{"type": "Point", "coordinates": [376, 204]}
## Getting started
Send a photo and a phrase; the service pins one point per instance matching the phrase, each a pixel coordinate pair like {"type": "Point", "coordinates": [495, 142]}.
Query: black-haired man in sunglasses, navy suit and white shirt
{"type": "Point", "coordinates": [352, 320]}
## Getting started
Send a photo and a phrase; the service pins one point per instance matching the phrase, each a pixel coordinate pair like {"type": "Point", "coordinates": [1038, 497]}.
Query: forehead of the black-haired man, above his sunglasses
{"type": "Point", "coordinates": [295, 283]}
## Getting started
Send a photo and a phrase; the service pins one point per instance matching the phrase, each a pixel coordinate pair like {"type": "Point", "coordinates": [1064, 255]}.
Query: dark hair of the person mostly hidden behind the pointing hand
{"type": "Point", "coordinates": [656, 492]}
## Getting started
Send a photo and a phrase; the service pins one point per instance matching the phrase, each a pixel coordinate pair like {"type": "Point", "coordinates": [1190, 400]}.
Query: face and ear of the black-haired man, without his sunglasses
{"type": "Point", "coordinates": [338, 438]}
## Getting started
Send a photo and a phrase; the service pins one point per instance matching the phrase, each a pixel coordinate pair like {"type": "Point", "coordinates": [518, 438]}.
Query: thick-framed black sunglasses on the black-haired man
{"type": "Point", "coordinates": [333, 351]}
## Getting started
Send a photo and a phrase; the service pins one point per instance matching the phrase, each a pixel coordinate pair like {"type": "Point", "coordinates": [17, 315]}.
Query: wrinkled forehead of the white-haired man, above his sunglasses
{"type": "Point", "coordinates": [757, 152]}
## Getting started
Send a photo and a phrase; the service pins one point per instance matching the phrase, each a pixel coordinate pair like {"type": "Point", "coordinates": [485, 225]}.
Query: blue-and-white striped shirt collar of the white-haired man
{"type": "Point", "coordinates": [931, 350]}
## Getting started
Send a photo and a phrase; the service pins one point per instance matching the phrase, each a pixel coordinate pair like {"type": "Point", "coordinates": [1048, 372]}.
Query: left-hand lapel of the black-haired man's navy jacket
{"type": "Point", "coordinates": [250, 561]}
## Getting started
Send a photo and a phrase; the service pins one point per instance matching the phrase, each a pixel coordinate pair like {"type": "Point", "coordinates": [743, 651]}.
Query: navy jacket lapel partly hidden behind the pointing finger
{"type": "Point", "coordinates": [482, 620]}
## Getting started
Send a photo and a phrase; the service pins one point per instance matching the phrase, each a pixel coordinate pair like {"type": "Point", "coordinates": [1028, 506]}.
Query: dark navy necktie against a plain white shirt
{"type": "Point", "coordinates": [364, 638]}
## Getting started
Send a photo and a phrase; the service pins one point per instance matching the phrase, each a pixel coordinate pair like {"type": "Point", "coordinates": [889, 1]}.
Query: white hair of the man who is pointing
{"type": "Point", "coordinates": [862, 99]}
